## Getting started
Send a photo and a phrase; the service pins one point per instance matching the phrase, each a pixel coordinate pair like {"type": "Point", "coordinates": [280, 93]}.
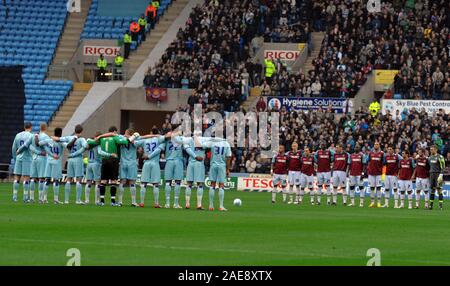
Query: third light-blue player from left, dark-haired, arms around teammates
{"type": "Point", "coordinates": [53, 167]}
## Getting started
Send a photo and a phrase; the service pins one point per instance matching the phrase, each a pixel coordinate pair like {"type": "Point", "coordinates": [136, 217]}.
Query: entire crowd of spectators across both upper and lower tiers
{"type": "Point", "coordinates": [212, 56]}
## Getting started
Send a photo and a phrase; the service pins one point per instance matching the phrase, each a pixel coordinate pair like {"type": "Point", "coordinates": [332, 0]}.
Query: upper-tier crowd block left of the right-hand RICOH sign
{"type": "Point", "coordinates": [213, 53]}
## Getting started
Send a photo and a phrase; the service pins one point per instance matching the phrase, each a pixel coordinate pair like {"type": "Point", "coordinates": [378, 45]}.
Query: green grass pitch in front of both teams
{"type": "Point", "coordinates": [258, 233]}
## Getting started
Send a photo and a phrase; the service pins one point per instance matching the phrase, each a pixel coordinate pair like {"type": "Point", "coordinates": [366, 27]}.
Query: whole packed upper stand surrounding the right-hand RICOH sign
{"type": "Point", "coordinates": [355, 43]}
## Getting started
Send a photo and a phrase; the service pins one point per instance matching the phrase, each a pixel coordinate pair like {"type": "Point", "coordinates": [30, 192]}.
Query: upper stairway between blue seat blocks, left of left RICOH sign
{"type": "Point", "coordinates": [69, 40]}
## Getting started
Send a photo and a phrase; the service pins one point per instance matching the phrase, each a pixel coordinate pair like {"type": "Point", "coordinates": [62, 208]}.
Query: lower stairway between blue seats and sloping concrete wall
{"type": "Point", "coordinates": [69, 106]}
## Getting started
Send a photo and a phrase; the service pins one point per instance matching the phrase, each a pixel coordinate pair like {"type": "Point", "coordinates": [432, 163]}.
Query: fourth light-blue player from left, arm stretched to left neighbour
{"type": "Point", "coordinates": [76, 146]}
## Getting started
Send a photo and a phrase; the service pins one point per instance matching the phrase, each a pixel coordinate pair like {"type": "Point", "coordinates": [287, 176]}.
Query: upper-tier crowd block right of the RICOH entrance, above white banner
{"type": "Point", "coordinates": [407, 35]}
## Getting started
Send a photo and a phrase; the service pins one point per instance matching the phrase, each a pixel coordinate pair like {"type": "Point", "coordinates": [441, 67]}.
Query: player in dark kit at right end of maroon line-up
{"type": "Point", "coordinates": [437, 166]}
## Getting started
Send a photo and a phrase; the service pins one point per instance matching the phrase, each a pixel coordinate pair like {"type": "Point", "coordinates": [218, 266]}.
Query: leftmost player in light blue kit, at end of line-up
{"type": "Point", "coordinates": [22, 162]}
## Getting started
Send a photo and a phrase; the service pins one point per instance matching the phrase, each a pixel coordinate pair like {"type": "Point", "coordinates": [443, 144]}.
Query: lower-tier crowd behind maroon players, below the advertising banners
{"type": "Point", "coordinates": [407, 130]}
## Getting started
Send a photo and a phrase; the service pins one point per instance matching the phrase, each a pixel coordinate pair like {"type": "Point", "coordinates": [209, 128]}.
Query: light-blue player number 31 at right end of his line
{"type": "Point", "coordinates": [219, 168]}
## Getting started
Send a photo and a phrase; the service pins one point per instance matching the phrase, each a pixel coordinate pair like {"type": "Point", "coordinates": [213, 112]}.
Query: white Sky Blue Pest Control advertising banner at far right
{"type": "Point", "coordinates": [430, 106]}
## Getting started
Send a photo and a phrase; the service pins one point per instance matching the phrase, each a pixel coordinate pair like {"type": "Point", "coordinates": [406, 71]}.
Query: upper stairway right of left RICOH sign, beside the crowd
{"type": "Point", "coordinates": [140, 54]}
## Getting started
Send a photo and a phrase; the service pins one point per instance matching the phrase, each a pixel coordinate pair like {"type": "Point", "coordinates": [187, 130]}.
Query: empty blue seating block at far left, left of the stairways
{"type": "Point", "coordinates": [28, 38]}
